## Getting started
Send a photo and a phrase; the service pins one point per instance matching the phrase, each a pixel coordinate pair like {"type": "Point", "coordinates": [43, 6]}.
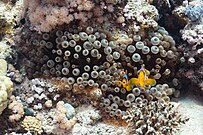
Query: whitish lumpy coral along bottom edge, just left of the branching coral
{"type": "Point", "coordinates": [88, 118]}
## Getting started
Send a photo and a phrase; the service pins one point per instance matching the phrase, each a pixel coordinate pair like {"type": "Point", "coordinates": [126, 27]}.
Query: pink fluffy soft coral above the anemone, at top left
{"type": "Point", "coordinates": [45, 15]}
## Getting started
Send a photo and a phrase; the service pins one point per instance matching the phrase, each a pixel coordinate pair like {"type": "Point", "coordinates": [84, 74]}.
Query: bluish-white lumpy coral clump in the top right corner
{"type": "Point", "coordinates": [191, 11]}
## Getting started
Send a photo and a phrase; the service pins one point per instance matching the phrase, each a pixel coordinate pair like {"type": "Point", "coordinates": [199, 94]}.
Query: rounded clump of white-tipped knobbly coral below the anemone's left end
{"type": "Point", "coordinates": [36, 93]}
